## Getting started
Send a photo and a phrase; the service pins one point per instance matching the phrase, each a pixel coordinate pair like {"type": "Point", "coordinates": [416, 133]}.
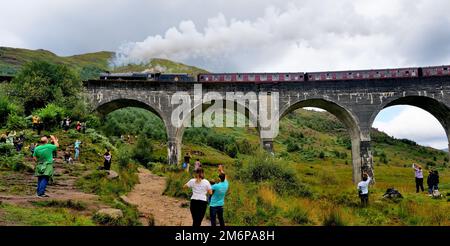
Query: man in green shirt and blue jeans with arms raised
{"type": "Point", "coordinates": [43, 155]}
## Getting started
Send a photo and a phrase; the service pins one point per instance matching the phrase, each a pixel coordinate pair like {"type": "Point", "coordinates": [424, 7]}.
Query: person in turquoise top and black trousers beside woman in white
{"type": "Point", "coordinates": [219, 191]}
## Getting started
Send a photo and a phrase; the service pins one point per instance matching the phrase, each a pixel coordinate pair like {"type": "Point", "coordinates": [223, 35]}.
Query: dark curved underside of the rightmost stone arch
{"type": "Point", "coordinates": [433, 106]}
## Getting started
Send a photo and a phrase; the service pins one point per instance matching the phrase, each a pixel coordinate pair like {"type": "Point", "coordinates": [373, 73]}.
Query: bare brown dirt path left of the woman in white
{"type": "Point", "coordinates": [166, 211]}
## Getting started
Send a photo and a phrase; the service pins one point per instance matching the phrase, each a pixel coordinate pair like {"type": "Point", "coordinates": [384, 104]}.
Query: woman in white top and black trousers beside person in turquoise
{"type": "Point", "coordinates": [200, 187]}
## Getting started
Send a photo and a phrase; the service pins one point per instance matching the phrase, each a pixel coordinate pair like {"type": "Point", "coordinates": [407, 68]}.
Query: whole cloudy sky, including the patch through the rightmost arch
{"type": "Point", "coordinates": [252, 35]}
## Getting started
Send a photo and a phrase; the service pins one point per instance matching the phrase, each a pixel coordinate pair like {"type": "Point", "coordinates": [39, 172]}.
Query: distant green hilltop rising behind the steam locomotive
{"type": "Point", "coordinates": [88, 65]}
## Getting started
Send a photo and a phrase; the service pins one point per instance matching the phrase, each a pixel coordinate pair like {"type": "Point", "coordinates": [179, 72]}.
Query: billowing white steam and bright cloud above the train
{"type": "Point", "coordinates": [306, 36]}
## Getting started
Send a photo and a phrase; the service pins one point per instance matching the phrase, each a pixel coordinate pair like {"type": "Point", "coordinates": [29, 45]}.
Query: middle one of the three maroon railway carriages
{"type": "Point", "coordinates": [364, 74]}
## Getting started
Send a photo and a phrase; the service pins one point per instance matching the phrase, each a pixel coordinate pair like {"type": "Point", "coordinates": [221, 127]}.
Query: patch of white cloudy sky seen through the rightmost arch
{"type": "Point", "coordinates": [416, 124]}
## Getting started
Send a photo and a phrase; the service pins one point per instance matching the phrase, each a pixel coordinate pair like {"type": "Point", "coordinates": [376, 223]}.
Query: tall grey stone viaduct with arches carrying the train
{"type": "Point", "coordinates": [355, 103]}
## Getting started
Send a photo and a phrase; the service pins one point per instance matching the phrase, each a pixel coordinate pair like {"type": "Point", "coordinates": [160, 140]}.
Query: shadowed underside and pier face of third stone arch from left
{"type": "Point", "coordinates": [345, 116]}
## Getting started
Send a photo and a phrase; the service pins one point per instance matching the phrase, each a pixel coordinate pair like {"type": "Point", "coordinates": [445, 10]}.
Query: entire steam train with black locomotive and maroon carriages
{"type": "Point", "coordinates": [259, 78]}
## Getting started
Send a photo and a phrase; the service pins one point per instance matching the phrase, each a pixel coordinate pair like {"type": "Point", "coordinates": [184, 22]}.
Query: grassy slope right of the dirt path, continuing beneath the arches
{"type": "Point", "coordinates": [309, 180]}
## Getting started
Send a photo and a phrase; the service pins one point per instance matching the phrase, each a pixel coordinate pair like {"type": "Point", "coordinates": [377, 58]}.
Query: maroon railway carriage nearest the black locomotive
{"type": "Point", "coordinates": [257, 78]}
